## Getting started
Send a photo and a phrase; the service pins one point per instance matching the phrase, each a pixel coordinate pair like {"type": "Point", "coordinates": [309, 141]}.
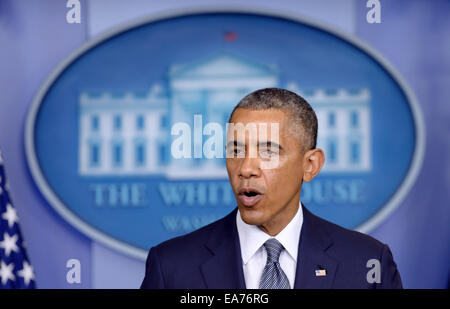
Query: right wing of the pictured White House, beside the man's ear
{"type": "Point", "coordinates": [344, 127]}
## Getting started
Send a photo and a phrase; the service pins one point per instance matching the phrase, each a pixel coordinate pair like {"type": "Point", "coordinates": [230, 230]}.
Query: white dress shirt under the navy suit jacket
{"type": "Point", "coordinates": [254, 255]}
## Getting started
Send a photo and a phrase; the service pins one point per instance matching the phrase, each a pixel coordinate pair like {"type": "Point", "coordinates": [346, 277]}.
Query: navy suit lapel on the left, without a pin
{"type": "Point", "coordinates": [223, 270]}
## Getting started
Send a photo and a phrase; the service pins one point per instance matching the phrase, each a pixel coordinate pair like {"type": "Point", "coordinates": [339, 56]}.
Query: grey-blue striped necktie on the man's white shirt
{"type": "Point", "coordinates": [273, 276]}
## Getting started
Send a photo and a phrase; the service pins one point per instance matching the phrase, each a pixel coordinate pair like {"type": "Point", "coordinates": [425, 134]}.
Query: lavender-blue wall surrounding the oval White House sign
{"type": "Point", "coordinates": [411, 36]}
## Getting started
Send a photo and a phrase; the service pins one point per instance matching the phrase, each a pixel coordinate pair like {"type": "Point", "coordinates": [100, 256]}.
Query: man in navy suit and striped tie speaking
{"type": "Point", "coordinates": [271, 241]}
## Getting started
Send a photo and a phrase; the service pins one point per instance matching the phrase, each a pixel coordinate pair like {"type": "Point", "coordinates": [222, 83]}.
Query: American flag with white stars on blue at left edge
{"type": "Point", "coordinates": [15, 269]}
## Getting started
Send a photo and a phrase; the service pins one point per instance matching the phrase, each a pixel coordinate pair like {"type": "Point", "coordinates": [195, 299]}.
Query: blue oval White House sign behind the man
{"type": "Point", "coordinates": [98, 135]}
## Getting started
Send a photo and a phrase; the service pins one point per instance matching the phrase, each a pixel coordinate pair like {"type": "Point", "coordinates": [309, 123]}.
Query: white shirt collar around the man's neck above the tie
{"type": "Point", "coordinates": [251, 237]}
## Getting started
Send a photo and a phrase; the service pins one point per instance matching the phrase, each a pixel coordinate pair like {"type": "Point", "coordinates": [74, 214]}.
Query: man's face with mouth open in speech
{"type": "Point", "coordinates": [265, 196]}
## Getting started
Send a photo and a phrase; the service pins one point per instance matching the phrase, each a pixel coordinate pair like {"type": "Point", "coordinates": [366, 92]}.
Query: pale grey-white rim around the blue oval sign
{"type": "Point", "coordinates": [135, 252]}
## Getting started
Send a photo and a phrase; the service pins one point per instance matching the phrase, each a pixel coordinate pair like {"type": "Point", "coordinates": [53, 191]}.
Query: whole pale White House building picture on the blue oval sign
{"type": "Point", "coordinates": [129, 133]}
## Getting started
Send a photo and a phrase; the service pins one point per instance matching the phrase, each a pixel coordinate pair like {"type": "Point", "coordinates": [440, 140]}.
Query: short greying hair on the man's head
{"type": "Point", "coordinates": [300, 112]}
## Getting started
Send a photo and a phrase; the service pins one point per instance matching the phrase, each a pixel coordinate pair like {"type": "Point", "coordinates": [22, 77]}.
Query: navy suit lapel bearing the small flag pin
{"type": "Point", "coordinates": [314, 242]}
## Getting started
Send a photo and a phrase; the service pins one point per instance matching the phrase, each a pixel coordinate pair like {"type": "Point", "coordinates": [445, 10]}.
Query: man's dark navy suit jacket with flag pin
{"type": "Point", "coordinates": [211, 258]}
